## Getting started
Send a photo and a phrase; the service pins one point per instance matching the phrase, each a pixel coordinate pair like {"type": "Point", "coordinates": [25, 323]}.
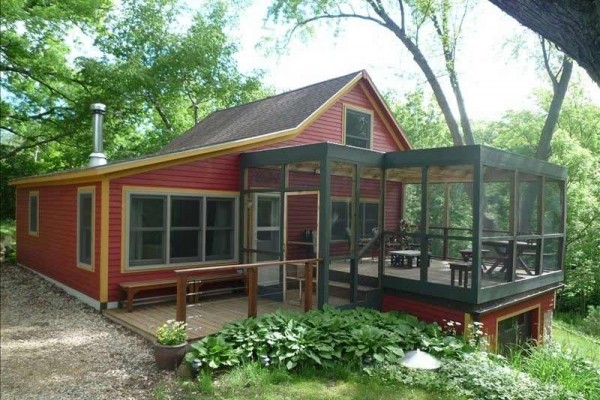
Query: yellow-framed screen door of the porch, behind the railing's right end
{"type": "Point", "coordinates": [301, 238]}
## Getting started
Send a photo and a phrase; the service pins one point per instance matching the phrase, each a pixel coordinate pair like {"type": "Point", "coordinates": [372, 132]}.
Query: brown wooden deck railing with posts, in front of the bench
{"type": "Point", "coordinates": [184, 276]}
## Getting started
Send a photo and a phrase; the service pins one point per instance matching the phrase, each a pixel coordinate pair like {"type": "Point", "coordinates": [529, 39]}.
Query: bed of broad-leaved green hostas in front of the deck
{"type": "Point", "coordinates": [321, 339]}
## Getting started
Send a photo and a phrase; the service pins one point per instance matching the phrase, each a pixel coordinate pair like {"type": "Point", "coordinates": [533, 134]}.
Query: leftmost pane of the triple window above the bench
{"type": "Point", "coordinates": [148, 229]}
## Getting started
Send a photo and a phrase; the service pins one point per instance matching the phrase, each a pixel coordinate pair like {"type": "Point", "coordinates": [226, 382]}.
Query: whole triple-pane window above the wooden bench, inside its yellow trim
{"type": "Point", "coordinates": [170, 229]}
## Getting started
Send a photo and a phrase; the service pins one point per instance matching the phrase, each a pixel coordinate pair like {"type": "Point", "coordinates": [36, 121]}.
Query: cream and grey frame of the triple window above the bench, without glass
{"type": "Point", "coordinates": [168, 264]}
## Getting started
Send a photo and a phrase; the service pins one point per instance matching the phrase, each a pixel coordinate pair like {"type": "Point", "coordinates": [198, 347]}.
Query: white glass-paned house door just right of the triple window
{"type": "Point", "coordinates": [266, 234]}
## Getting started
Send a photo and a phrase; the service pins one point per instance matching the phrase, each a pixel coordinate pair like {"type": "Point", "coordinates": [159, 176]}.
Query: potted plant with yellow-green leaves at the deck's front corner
{"type": "Point", "coordinates": [171, 344]}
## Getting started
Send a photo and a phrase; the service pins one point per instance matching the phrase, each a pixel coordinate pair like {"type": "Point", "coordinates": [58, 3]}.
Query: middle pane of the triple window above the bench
{"type": "Point", "coordinates": [186, 229]}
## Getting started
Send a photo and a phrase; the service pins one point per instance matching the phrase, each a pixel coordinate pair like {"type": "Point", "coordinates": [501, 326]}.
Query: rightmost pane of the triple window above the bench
{"type": "Point", "coordinates": [219, 228]}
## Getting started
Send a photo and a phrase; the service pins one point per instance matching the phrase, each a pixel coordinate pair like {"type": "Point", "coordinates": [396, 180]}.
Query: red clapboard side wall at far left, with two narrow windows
{"type": "Point", "coordinates": [54, 251]}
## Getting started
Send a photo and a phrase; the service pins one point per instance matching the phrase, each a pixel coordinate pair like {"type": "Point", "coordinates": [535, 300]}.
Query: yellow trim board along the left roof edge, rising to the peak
{"type": "Point", "coordinates": [158, 161]}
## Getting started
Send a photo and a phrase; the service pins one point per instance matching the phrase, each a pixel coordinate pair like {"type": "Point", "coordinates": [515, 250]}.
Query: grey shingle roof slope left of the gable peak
{"type": "Point", "coordinates": [273, 114]}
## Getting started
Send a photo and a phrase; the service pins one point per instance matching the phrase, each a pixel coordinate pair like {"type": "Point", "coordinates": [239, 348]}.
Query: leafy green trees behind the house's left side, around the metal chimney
{"type": "Point", "coordinates": [147, 67]}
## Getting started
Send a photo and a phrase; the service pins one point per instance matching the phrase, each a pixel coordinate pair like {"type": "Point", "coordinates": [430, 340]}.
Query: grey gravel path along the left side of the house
{"type": "Point", "coordinates": [54, 347]}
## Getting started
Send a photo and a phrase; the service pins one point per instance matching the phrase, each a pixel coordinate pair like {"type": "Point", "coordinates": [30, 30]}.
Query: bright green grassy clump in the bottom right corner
{"type": "Point", "coordinates": [554, 364]}
